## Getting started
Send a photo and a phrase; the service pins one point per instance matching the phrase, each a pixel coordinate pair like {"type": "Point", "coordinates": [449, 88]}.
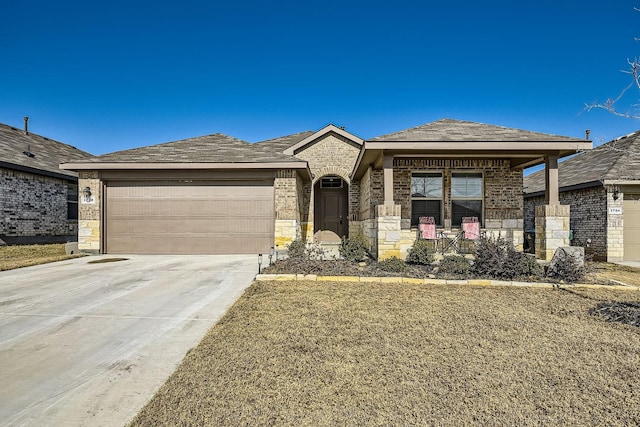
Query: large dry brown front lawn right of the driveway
{"type": "Point", "coordinates": [325, 354]}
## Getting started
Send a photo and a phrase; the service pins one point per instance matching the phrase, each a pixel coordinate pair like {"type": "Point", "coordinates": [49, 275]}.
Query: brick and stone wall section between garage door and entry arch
{"type": "Point", "coordinates": [288, 190]}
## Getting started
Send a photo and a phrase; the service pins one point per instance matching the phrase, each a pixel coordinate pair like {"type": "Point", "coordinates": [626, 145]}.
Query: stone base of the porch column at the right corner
{"type": "Point", "coordinates": [552, 230]}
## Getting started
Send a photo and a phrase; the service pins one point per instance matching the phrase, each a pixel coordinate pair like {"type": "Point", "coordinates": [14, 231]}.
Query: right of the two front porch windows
{"type": "Point", "coordinates": [466, 196]}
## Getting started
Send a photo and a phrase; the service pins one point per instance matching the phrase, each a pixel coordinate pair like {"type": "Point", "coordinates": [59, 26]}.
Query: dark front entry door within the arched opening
{"type": "Point", "coordinates": [331, 212]}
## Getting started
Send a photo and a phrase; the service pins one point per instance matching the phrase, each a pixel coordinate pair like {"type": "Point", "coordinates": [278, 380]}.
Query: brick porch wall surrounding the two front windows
{"type": "Point", "coordinates": [502, 188]}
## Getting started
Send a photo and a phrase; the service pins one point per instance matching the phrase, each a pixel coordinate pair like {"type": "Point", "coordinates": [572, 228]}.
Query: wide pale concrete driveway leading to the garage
{"type": "Point", "coordinates": [89, 344]}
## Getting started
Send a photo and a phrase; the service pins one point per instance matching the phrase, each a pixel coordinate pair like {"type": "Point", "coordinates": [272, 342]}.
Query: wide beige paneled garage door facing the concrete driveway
{"type": "Point", "coordinates": [189, 217]}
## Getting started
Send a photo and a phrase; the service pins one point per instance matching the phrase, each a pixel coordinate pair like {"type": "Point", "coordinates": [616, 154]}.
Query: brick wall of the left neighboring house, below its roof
{"type": "Point", "coordinates": [33, 209]}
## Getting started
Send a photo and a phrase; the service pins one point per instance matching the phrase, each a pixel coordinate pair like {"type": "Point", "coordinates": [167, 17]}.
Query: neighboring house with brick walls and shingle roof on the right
{"type": "Point", "coordinates": [603, 188]}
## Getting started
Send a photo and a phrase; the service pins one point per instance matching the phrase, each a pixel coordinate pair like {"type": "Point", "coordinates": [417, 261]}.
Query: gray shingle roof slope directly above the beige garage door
{"type": "Point", "coordinates": [215, 148]}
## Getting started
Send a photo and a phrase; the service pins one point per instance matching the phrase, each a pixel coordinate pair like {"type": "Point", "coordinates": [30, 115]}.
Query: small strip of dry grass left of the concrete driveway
{"type": "Point", "coordinates": [24, 256]}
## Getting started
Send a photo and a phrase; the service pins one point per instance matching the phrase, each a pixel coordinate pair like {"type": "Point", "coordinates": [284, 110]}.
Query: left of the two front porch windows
{"type": "Point", "coordinates": [426, 196]}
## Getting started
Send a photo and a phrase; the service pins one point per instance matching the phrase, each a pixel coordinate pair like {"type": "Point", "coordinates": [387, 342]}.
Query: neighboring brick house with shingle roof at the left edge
{"type": "Point", "coordinates": [38, 200]}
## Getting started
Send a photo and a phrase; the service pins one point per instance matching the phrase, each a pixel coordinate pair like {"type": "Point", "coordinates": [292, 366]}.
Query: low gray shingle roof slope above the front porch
{"type": "Point", "coordinates": [458, 130]}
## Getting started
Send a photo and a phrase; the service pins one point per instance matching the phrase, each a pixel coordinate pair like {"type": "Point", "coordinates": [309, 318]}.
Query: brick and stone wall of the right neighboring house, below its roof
{"type": "Point", "coordinates": [588, 218]}
